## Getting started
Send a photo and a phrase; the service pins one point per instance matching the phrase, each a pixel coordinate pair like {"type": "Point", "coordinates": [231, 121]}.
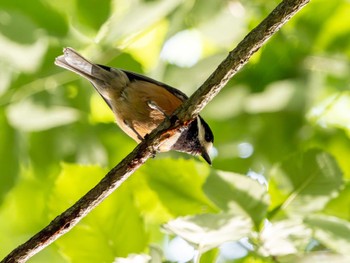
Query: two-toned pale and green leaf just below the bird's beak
{"type": "Point", "coordinates": [237, 194]}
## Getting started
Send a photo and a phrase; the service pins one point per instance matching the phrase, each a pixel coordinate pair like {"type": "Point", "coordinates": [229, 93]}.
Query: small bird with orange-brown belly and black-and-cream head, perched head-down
{"type": "Point", "coordinates": [140, 104]}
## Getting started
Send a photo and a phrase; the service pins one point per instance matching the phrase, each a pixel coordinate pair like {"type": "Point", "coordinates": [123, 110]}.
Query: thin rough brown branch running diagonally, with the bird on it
{"type": "Point", "coordinates": [236, 59]}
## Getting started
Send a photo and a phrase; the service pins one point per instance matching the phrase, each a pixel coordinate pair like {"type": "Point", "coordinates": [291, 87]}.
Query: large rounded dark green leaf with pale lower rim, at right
{"type": "Point", "coordinates": [305, 182]}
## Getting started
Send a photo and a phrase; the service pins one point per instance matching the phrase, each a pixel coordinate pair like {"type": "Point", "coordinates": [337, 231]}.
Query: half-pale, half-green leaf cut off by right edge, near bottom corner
{"type": "Point", "coordinates": [332, 232]}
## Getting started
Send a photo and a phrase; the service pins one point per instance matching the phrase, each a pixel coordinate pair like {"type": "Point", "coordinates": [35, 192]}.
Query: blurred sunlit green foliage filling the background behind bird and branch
{"type": "Point", "coordinates": [278, 190]}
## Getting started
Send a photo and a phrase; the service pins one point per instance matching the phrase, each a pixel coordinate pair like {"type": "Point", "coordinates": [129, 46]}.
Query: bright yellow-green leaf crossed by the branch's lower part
{"type": "Point", "coordinates": [113, 229]}
